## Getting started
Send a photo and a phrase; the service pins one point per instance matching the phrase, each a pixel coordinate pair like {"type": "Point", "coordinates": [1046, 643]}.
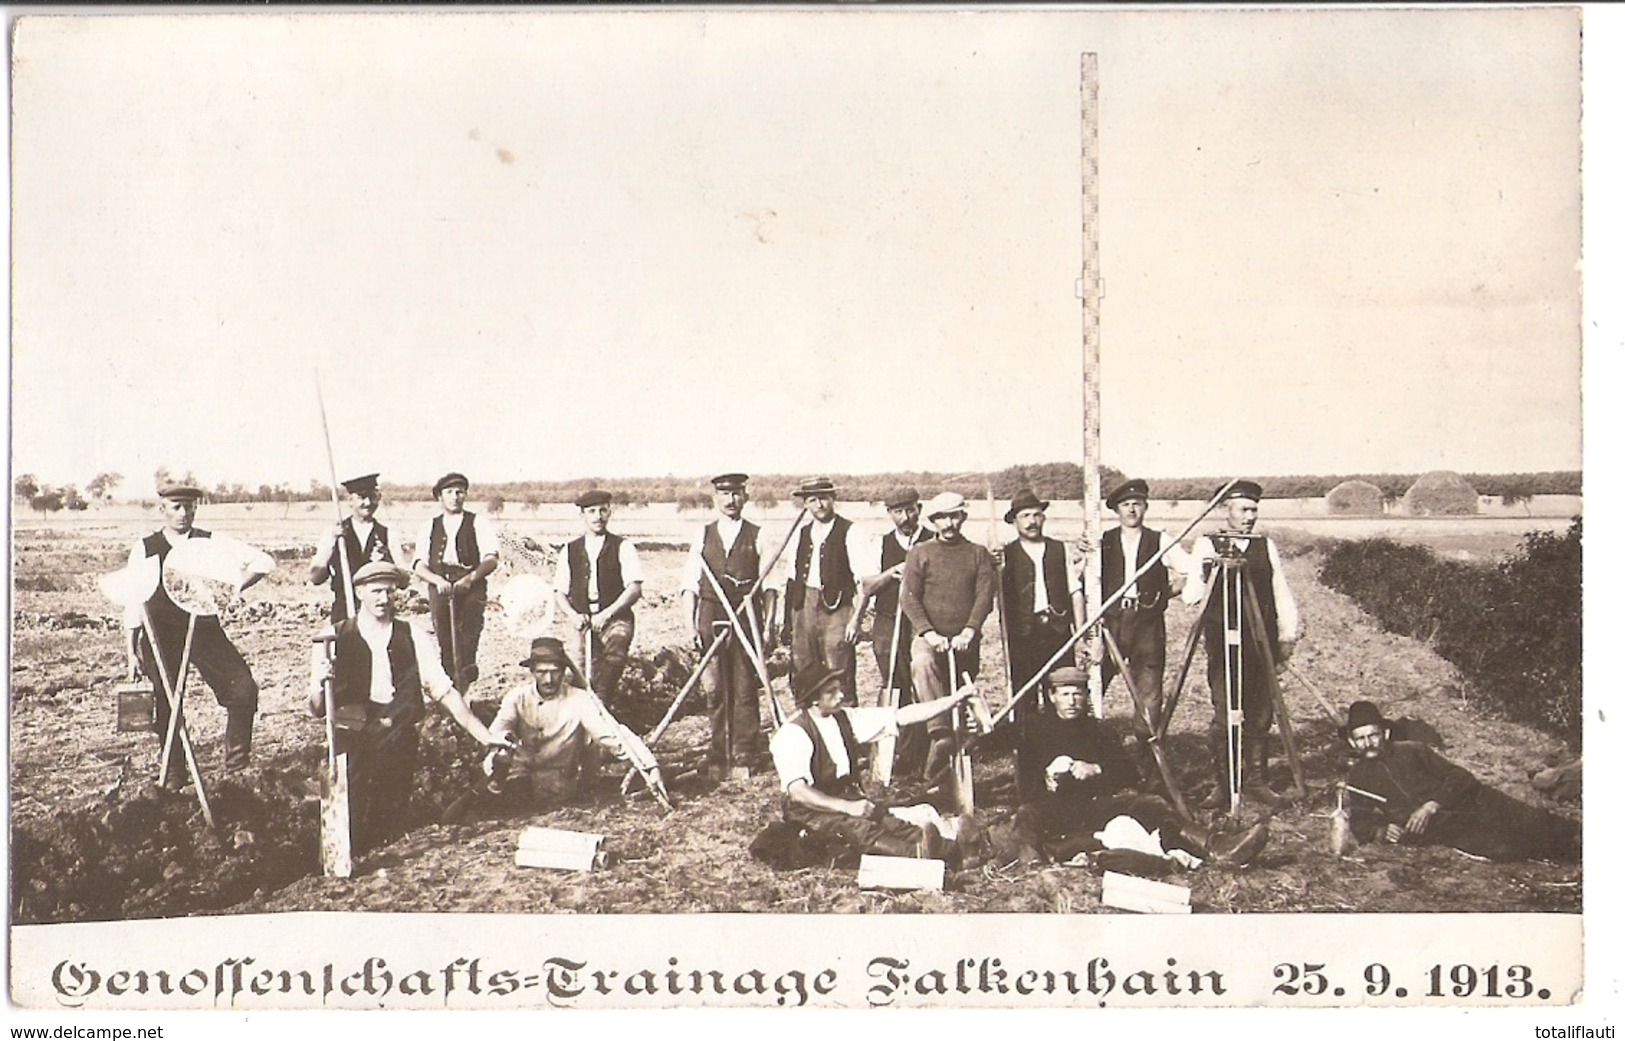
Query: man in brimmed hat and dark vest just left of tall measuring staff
{"type": "Point", "coordinates": [1044, 595]}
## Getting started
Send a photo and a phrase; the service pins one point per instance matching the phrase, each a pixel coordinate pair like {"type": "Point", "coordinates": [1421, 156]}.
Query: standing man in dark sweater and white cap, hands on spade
{"type": "Point", "coordinates": [948, 597]}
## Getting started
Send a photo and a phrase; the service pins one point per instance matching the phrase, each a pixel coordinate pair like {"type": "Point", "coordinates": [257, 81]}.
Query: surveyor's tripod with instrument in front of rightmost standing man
{"type": "Point", "coordinates": [1244, 642]}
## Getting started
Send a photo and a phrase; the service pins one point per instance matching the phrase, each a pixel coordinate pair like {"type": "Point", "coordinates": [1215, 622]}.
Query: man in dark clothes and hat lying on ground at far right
{"type": "Point", "coordinates": [1403, 792]}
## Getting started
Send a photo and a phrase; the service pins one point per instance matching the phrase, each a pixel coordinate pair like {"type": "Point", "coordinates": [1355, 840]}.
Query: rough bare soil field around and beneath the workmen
{"type": "Point", "coordinates": [93, 839]}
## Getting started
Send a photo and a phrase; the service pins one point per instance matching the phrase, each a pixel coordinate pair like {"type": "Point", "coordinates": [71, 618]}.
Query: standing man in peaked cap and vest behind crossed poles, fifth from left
{"type": "Point", "coordinates": [730, 550]}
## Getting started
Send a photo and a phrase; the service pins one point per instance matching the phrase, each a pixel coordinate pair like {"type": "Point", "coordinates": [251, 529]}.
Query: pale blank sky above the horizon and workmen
{"type": "Point", "coordinates": [568, 244]}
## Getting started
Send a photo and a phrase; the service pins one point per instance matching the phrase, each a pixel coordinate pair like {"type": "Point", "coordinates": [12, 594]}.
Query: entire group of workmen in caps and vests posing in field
{"type": "Point", "coordinates": [932, 590]}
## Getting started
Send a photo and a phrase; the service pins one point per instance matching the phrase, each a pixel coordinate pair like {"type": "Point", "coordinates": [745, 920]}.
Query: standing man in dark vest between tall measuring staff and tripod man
{"type": "Point", "coordinates": [1137, 620]}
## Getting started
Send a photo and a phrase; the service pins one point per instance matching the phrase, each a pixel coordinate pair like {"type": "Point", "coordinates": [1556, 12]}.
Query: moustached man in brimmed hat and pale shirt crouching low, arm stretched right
{"type": "Point", "coordinates": [552, 732]}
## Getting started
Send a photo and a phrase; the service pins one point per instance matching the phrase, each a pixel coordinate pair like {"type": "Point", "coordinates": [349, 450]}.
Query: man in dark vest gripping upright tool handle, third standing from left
{"type": "Point", "coordinates": [456, 551]}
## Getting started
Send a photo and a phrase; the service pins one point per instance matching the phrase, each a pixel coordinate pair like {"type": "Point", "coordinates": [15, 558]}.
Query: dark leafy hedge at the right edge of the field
{"type": "Point", "coordinates": [1514, 629]}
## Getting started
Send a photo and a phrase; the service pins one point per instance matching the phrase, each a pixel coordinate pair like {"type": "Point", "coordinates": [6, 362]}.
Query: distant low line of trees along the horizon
{"type": "Point", "coordinates": [1055, 482]}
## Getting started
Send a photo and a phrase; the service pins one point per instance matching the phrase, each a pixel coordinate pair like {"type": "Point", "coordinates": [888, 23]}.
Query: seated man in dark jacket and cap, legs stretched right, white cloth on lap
{"type": "Point", "coordinates": [1083, 785]}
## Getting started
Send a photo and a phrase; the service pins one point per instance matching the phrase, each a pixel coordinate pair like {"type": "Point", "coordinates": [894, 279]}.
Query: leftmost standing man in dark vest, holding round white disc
{"type": "Point", "coordinates": [215, 659]}
